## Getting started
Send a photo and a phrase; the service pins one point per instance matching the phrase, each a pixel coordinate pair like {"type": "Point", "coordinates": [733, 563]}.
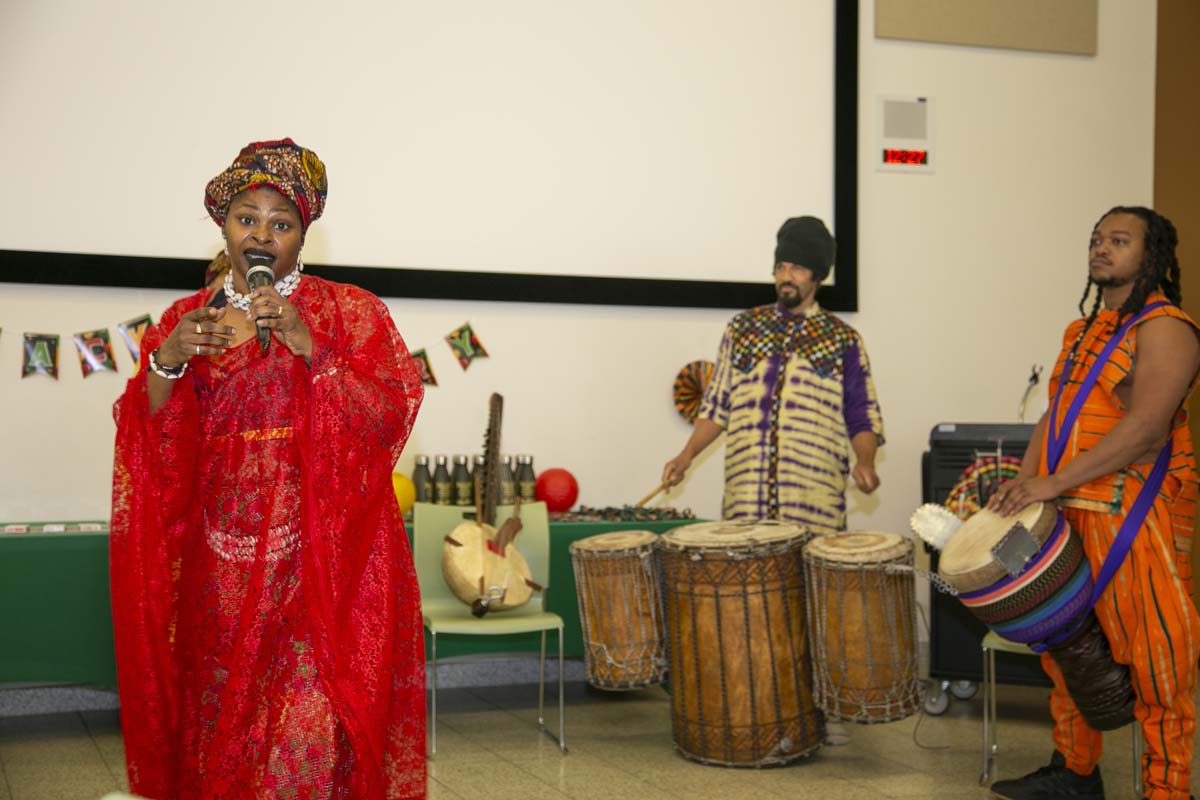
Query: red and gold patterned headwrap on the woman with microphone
{"type": "Point", "coordinates": [292, 171]}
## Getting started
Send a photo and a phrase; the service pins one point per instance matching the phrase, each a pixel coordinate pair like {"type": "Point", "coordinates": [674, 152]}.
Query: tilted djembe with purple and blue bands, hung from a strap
{"type": "Point", "coordinates": [1029, 580]}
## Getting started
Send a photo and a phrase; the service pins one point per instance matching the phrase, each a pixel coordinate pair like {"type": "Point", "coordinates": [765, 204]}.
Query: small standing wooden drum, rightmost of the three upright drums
{"type": "Point", "coordinates": [862, 623]}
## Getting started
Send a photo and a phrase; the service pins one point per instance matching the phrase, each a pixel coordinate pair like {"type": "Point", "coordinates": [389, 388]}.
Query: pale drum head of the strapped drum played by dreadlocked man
{"type": "Point", "coordinates": [967, 561]}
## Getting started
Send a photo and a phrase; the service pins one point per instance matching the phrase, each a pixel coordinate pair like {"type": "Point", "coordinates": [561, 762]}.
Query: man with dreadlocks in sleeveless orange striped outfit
{"type": "Point", "coordinates": [1132, 417]}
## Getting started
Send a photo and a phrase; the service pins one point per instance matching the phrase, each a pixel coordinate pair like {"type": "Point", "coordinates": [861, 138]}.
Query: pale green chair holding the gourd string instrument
{"type": "Point", "coordinates": [445, 613]}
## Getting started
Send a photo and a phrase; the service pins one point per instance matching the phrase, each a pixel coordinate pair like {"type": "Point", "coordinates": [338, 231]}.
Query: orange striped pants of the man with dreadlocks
{"type": "Point", "coordinates": [1153, 627]}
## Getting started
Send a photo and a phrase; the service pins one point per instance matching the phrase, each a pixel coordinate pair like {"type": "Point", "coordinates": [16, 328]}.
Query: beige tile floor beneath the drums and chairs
{"type": "Point", "coordinates": [621, 747]}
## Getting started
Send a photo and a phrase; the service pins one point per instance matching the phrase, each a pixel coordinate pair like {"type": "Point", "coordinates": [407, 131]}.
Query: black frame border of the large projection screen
{"type": "Point", "coordinates": [152, 273]}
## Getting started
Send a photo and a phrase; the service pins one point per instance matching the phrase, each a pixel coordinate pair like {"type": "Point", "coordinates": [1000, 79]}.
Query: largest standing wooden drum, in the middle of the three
{"type": "Point", "coordinates": [741, 681]}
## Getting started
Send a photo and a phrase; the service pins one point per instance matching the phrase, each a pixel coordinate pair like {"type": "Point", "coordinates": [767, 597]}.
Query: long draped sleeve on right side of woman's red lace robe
{"type": "Point", "coordinates": [365, 394]}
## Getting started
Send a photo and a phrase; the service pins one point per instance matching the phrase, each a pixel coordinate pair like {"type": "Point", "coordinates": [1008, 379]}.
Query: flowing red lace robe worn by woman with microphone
{"type": "Point", "coordinates": [266, 609]}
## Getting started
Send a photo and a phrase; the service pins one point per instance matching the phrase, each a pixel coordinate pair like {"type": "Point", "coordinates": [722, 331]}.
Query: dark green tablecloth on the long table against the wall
{"type": "Point", "coordinates": [56, 623]}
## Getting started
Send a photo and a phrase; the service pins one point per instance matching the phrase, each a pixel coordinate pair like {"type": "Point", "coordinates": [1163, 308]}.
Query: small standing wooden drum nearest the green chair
{"type": "Point", "coordinates": [621, 610]}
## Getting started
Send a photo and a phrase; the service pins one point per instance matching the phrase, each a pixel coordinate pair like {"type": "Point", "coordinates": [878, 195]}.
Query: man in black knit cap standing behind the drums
{"type": "Point", "coordinates": [793, 389]}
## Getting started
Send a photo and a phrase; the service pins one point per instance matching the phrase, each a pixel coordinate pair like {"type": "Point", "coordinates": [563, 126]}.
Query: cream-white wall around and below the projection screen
{"type": "Point", "coordinates": [968, 278]}
